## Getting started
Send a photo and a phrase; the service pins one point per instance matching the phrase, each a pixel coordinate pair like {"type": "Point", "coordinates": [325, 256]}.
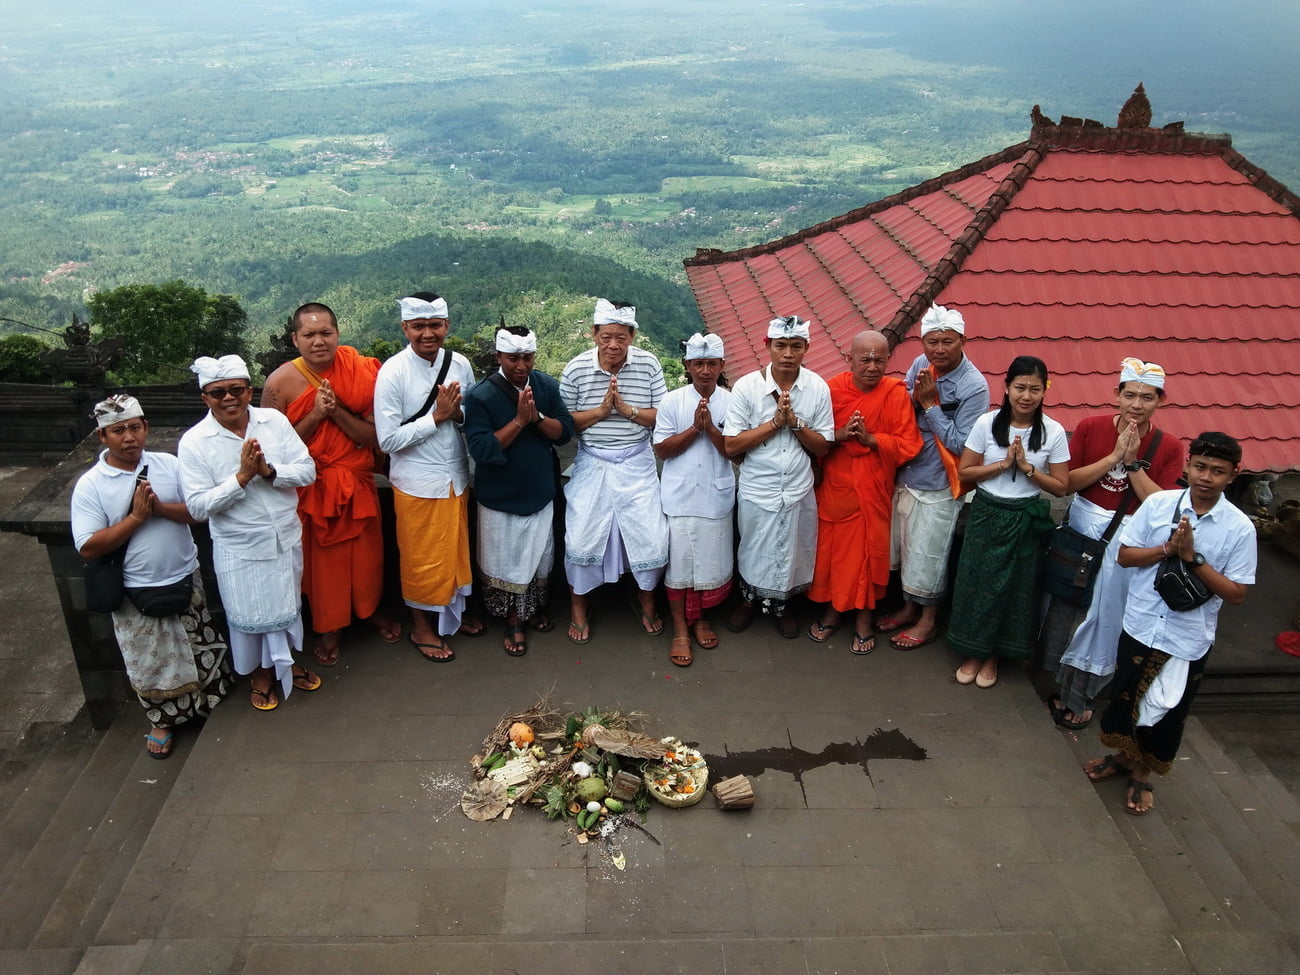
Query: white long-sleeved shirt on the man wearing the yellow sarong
{"type": "Point", "coordinates": [427, 460]}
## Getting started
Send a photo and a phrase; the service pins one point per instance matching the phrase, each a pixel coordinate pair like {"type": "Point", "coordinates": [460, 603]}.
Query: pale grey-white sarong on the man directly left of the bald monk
{"type": "Point", "coordinates": [778, 549]}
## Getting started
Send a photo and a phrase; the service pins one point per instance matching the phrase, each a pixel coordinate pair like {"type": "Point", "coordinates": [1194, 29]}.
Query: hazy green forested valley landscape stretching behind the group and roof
{"type": "Point", "coordinates": [523, 159]}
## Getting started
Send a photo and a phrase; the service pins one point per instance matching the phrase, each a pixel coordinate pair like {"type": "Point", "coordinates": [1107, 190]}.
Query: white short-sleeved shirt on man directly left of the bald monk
{"type": "Point", "coordinates": [778, 473]}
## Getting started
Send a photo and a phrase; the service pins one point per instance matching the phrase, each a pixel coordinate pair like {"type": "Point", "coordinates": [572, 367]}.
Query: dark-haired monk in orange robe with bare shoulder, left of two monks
{"type": "Point", "coordinates": [328, 395]}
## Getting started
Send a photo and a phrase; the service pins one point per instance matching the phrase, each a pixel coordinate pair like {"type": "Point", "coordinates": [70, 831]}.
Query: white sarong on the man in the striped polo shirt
{"type": "Point", "coordinates": [616, 492]}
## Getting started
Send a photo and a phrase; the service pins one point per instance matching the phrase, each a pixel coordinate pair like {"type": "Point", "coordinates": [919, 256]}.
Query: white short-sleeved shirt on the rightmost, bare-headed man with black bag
{"type": "Point", "coordinates": [1224, 536]}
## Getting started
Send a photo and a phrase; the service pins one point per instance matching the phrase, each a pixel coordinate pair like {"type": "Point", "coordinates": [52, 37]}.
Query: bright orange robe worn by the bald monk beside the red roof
{"type": "Point", "coordinates": [856, 496]}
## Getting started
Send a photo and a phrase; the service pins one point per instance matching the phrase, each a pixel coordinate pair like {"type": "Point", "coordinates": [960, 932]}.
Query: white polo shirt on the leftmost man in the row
{"type": "Point", "coordinates": [161, 552]}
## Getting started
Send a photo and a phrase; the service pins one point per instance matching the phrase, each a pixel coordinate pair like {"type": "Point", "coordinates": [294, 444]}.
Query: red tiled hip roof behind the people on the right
{"type": "Point", "coordinates": [1082, 246]}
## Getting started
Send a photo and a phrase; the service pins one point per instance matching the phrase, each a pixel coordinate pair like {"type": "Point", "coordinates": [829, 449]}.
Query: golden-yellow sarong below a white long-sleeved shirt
{"type": "Point", "coordinates": [434, 548]}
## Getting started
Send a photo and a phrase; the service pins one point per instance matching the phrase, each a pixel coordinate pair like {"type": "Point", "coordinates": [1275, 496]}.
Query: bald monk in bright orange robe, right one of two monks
{"type": "Point", "coordinates": [876, 431]}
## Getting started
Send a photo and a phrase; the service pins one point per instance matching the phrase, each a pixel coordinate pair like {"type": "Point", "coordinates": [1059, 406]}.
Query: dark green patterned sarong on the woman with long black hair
{"type": "Point", "coordinates": [996, 593]}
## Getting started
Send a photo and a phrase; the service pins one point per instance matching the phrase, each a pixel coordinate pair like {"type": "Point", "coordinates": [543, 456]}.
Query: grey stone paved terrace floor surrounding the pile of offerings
{"type": "Point", "coordinates": [327, 837]}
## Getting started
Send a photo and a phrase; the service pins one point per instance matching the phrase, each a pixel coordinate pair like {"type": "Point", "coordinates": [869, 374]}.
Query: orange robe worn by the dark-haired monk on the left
{"type": "Point", "coordinates": [343, 532]}
